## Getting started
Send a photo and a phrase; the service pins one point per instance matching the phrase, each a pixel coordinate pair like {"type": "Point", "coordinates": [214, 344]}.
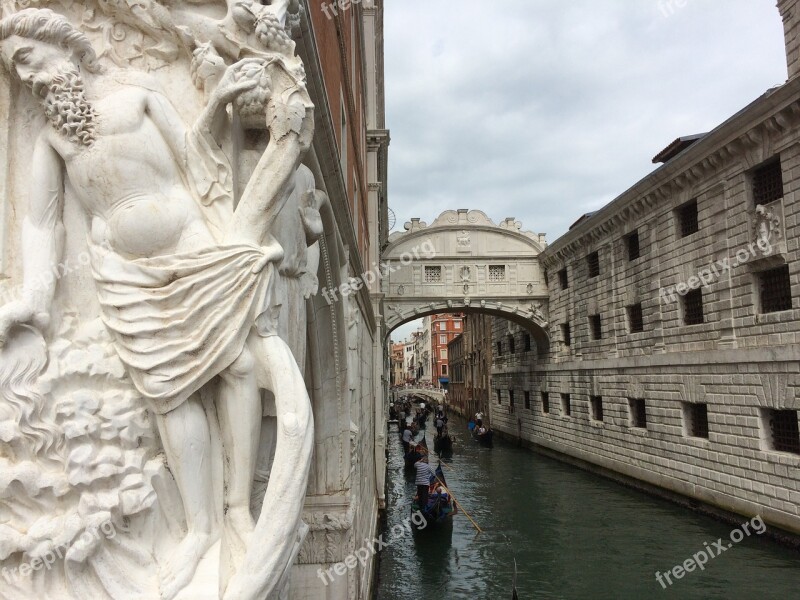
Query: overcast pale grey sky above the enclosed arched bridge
{"type": "Point", "coordinates": [547, 109]}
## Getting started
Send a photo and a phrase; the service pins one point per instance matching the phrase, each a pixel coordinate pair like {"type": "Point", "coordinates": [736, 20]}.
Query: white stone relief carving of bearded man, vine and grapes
{"type": "Point", "coordinates": [133, 439]}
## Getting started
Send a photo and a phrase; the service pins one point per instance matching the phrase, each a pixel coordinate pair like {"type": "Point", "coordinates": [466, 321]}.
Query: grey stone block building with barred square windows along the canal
{"type": "Point", "coordinates": [675, 321]}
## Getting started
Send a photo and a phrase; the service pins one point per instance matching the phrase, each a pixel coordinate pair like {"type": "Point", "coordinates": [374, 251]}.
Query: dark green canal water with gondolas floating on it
{"type": "Point", "coordinates": [574, 535]}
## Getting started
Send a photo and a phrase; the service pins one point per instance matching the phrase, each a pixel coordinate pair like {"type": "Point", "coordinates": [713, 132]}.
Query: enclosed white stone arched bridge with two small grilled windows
{"type": "Point", "coordinates": [463, 262]}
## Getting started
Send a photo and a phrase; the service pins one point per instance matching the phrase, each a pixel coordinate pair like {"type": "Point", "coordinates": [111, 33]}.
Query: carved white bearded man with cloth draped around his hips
{"type": "Point", "coordinates": [182, 291]}
